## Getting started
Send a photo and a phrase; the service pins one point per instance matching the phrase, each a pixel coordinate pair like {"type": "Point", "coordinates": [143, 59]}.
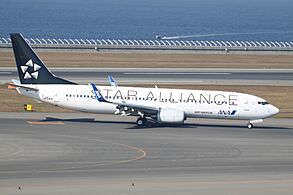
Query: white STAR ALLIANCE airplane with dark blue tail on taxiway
{"type": "Point", "coordinates": [162, 105]}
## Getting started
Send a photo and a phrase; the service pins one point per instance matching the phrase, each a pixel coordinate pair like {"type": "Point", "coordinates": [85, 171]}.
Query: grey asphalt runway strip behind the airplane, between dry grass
{"type": "Point", "coordinates": [281, 77]}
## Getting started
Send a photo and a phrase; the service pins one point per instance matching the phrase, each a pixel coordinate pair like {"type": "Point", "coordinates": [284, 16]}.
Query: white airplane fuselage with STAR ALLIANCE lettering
{"type": "Point", "coordinates": [194, 103]}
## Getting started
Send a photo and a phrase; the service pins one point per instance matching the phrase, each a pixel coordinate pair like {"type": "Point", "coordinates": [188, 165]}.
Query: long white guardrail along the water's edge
{"type": "Point", "coordinates": [153, 44]}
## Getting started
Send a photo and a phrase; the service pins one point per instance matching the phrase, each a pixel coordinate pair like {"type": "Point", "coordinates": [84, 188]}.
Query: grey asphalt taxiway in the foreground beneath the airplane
{"type": "Point", "coordinates": [76, 153]}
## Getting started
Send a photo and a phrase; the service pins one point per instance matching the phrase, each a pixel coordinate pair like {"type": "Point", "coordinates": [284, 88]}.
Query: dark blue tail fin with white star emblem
{"type": "Point", "coordinates": [31, 69]}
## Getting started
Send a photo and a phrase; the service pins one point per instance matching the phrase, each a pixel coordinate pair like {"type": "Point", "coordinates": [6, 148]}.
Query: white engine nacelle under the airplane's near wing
{"type": "Point", "coordinates": [168, 115]}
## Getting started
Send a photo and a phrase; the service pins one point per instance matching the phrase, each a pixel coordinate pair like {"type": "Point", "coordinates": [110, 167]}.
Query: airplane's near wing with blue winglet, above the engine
{"type": "Point", "coordinates": [126, 108]}
